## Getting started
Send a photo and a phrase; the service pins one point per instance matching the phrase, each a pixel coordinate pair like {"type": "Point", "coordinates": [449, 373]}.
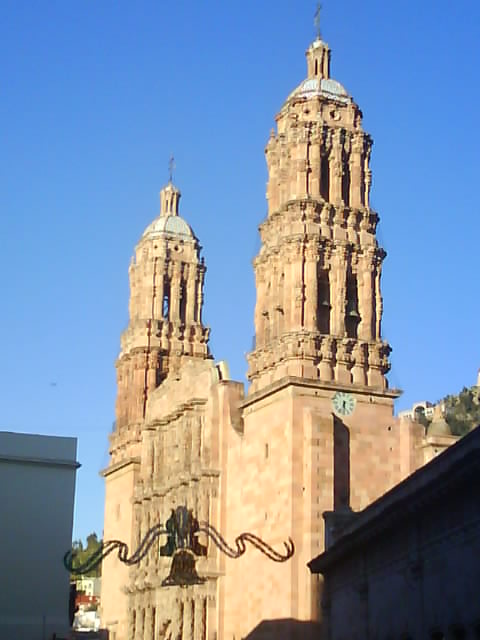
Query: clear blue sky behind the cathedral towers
{"type": "Point", "coordinates": [95, 98]}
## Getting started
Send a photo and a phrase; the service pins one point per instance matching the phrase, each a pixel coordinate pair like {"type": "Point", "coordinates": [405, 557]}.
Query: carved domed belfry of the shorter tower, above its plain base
{"type": "Point", "coordinates": [166, 297]}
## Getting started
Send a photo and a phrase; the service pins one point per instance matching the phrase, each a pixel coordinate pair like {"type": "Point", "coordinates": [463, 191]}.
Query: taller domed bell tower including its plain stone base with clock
{"type": "Point", "coordinates": [319, 434]}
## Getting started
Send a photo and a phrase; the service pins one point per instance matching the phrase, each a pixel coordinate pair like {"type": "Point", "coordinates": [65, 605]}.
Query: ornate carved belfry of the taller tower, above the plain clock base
{"type": "Point", "coordinates": [319, 306]}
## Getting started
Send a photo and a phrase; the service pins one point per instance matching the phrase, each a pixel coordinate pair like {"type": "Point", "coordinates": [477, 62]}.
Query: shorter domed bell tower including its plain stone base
{"type": "Point", "coordinates": [165, 330]}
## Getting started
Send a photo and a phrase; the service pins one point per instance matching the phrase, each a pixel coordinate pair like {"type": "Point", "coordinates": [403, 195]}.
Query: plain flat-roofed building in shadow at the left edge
{"type": "Point", "coordinates": [37, 485]}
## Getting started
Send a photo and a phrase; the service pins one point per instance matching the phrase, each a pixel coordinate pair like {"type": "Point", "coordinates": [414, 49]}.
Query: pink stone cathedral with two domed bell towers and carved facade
{"type": "Point", "coordinates": [315, 430]}
